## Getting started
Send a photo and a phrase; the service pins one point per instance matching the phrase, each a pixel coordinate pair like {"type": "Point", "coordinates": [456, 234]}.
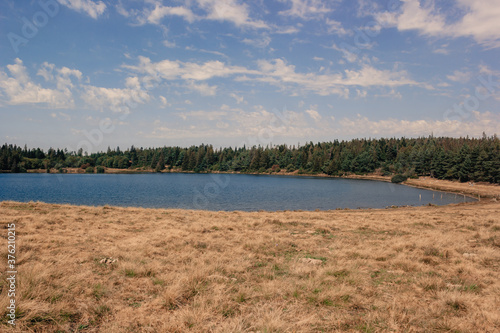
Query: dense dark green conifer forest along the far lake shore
{"type": "Point", "coordinates": [464, 159]}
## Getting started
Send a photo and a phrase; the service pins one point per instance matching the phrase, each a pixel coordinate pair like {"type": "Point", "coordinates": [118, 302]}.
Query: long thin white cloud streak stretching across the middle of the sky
{"type": "Point", "coordinates": [276, 72]}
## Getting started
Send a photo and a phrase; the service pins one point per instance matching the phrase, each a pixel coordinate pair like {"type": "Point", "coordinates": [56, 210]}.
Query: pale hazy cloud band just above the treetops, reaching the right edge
{"type": "Point", "coordinates": [253, 127]}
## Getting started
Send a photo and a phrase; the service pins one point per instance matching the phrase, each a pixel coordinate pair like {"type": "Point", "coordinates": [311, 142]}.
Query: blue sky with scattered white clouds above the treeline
{"type": "Point", "coordinates": [91, 74]}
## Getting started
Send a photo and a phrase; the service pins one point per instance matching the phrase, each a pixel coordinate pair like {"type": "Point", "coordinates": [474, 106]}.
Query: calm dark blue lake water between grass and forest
{"type": "Point", "coordinates": [215, 192]}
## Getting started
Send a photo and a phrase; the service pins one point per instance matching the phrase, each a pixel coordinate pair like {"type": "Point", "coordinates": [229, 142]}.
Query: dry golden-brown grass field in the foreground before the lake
{"type": "Point", "coordinates": [426, 269]}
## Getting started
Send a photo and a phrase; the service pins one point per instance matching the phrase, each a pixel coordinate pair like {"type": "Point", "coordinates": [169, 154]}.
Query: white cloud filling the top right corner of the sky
{"type": "Point", "coordinates": [479, 22]}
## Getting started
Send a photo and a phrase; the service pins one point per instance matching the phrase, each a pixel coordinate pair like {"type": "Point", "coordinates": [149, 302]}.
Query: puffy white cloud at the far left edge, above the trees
{"type": "Point", "coordinates": [19, 88]}
